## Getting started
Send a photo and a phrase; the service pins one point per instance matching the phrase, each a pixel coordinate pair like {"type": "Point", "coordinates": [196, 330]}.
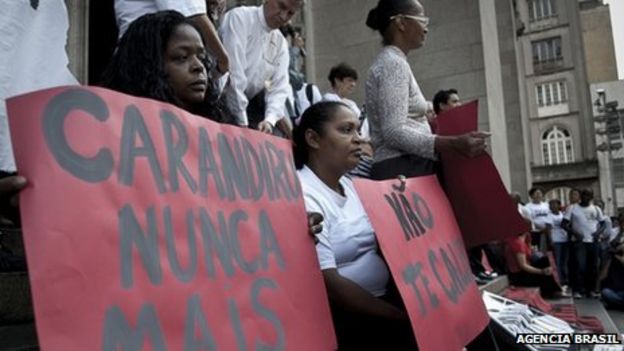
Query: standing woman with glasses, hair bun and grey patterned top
{"type": "Point", "coordinates": [401, 136]}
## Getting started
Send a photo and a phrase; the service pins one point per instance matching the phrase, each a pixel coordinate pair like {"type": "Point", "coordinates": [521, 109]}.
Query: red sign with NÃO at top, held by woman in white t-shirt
{"type": "Point", "coordinates": [422, 244]}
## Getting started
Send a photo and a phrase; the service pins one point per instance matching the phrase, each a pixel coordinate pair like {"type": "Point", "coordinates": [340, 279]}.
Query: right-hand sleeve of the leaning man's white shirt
{"type": "Point", "coordinates": [280, 88]}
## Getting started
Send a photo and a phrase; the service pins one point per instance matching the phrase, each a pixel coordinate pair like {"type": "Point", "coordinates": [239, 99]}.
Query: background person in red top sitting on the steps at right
{"type": "Point", "coordinates": [526, 269]}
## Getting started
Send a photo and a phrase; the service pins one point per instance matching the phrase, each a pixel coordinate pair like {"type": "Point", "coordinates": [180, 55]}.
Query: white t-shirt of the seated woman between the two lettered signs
{"type": "Point", "coordinates": [347, 241]}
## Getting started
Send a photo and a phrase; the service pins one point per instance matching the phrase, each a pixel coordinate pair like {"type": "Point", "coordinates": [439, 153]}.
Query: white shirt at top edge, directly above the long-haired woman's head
{"type": "Point", "coordinates": [126, 11]}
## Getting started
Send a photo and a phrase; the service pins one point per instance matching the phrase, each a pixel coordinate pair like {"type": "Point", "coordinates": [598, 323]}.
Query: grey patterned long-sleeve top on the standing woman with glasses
{"type": "Point", "coordinates": [396, 108]}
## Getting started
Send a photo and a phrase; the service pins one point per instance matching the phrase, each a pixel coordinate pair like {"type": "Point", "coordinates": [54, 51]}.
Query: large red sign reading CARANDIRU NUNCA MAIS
{"type": "Point", "coordinates": [148, 228]}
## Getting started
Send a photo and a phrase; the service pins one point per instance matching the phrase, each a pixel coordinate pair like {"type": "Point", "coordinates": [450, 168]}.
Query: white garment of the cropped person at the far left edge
{"type": "Point", "coordinates": [32, 56]}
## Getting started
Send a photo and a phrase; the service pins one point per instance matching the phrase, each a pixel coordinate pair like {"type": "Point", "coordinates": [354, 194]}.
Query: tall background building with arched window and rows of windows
{"type": "Point", "coordinates": [556, 97]}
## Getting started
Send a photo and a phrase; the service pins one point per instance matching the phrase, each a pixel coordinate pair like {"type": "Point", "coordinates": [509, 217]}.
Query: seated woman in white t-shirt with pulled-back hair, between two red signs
{"type": "Point", "coordinates": [368, 313]}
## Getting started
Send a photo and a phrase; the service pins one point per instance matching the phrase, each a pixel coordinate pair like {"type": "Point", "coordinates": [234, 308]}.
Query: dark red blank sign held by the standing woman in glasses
{"type": "Point", "coordinates": [482, 205]}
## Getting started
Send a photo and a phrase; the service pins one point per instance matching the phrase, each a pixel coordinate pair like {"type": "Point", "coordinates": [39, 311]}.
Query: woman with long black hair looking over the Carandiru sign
{"type": "Point", "coordinates": [162, 56]}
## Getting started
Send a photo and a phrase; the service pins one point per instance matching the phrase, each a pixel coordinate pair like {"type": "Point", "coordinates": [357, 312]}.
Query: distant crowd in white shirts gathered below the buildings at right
{"type": "Point", "coordinates": [587, 248]}
